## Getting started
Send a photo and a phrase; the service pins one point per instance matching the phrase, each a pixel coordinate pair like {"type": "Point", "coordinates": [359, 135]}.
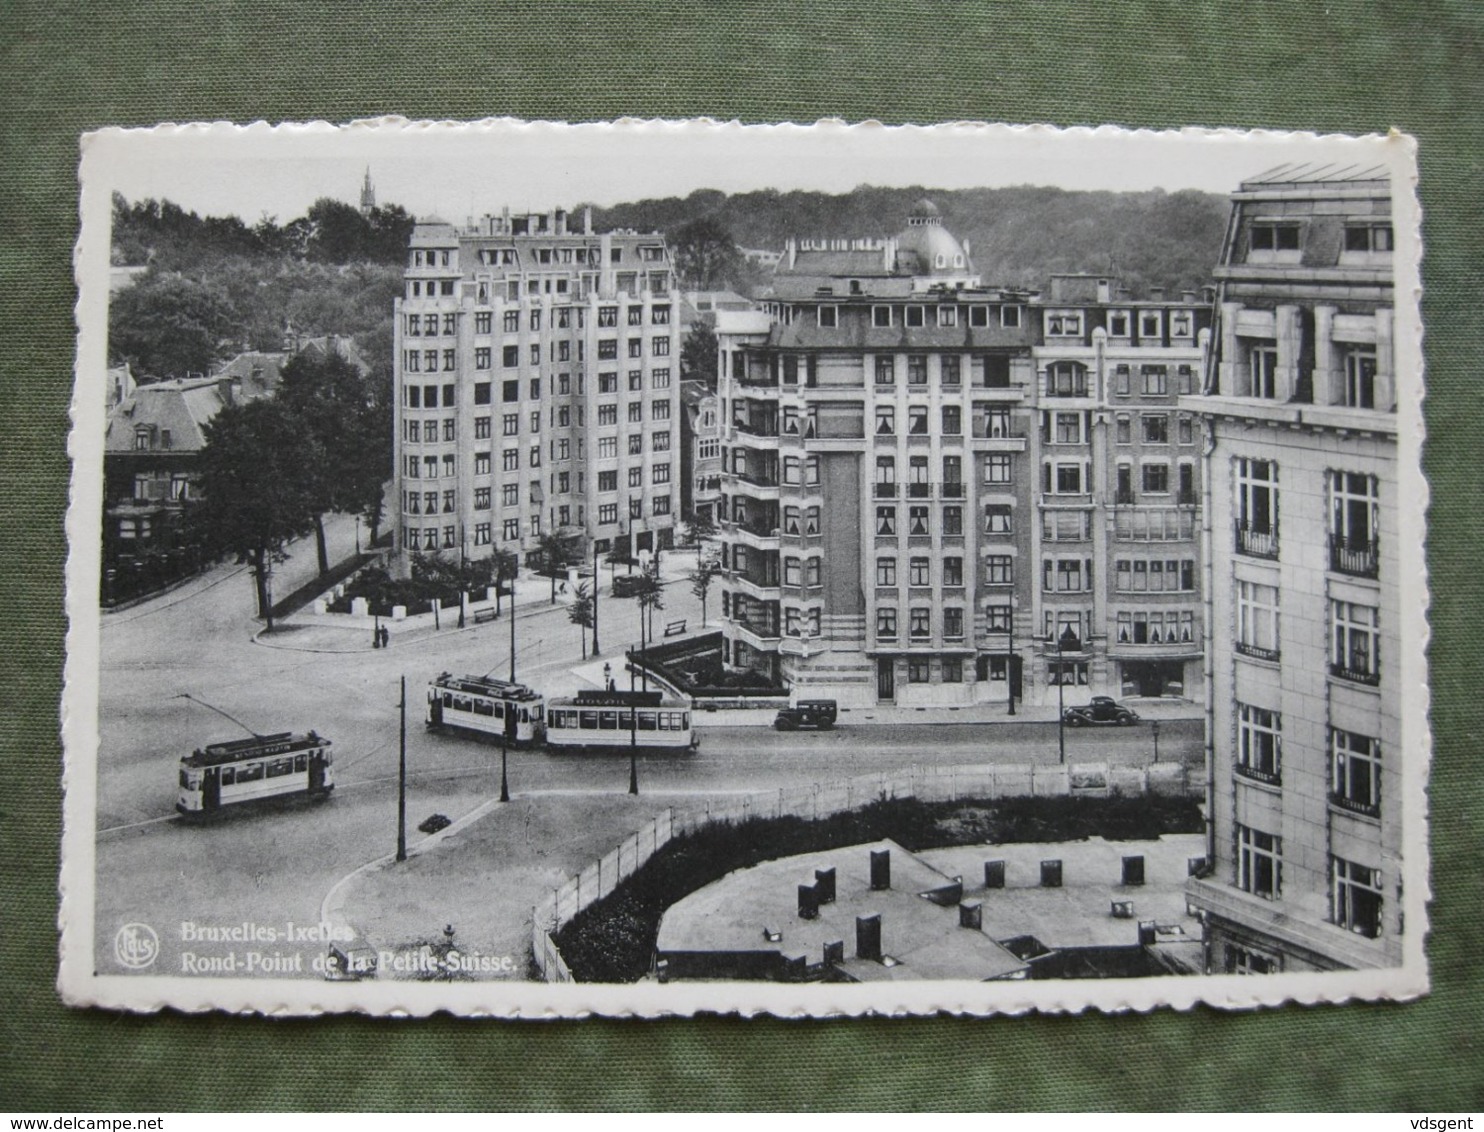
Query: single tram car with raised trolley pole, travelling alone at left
{"type": "Point", "coordinates": [222, 775]}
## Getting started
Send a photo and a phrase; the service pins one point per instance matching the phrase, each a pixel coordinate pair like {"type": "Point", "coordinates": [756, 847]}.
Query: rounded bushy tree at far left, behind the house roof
{"type": "Point", "coordinates": [168, 326]}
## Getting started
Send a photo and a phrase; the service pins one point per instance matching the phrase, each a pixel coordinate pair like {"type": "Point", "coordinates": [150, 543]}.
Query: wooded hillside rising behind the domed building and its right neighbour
{"type": "Point", "coordinates": [1019, 237]}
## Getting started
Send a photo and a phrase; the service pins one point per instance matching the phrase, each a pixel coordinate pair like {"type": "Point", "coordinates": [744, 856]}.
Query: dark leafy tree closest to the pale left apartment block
{"type": "Point", "coordinates": [330, 395]}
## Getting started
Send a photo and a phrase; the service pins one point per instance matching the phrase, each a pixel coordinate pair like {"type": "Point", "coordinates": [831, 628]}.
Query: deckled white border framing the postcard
{"type": "Point", "coordinates": [82, 987]}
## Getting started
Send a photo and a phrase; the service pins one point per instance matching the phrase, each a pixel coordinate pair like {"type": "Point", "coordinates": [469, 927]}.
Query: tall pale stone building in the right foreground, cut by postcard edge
{"type": "Point", "coordinates": [1304, 587]}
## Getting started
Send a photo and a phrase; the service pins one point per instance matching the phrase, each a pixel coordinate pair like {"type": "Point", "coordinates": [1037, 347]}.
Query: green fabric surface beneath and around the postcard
{"type": "Point", "coordinates": [1354, 68]}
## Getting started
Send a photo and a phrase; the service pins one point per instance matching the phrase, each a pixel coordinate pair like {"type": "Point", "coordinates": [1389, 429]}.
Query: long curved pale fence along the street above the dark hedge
{"type": "Point", "coordinates": [823, 800]}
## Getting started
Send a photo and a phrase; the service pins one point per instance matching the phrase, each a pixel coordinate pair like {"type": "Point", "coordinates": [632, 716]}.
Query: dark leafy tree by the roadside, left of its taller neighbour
{"type": "Point", "coordinates": [256, 493]}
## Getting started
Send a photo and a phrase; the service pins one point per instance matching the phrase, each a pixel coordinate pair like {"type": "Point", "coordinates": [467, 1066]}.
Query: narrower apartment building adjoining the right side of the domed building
{"type": "Point", "coordinates": [1115, 539]}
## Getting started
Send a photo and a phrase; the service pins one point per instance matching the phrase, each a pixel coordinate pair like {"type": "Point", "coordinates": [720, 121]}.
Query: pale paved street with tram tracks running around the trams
{"type": "Point", "coordinates": [164, 662]}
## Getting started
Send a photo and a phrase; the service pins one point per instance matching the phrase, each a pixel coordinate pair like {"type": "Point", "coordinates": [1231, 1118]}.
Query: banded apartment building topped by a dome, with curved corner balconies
{"type": "Point", "coordinates": [876, 498]}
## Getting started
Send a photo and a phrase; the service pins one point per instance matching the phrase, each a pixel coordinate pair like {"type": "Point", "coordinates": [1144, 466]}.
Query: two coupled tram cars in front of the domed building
{"type": "Point", "coordinates": [594, 722]}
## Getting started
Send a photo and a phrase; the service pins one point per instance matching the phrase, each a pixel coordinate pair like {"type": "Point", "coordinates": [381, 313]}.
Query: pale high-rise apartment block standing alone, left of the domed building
{"type": "Point", "coordinates": [536, 388]}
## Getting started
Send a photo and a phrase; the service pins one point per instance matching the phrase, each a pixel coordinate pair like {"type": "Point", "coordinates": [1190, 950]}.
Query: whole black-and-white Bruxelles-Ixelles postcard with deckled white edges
{"type": "Point", "coordinates": [667, 567]}
